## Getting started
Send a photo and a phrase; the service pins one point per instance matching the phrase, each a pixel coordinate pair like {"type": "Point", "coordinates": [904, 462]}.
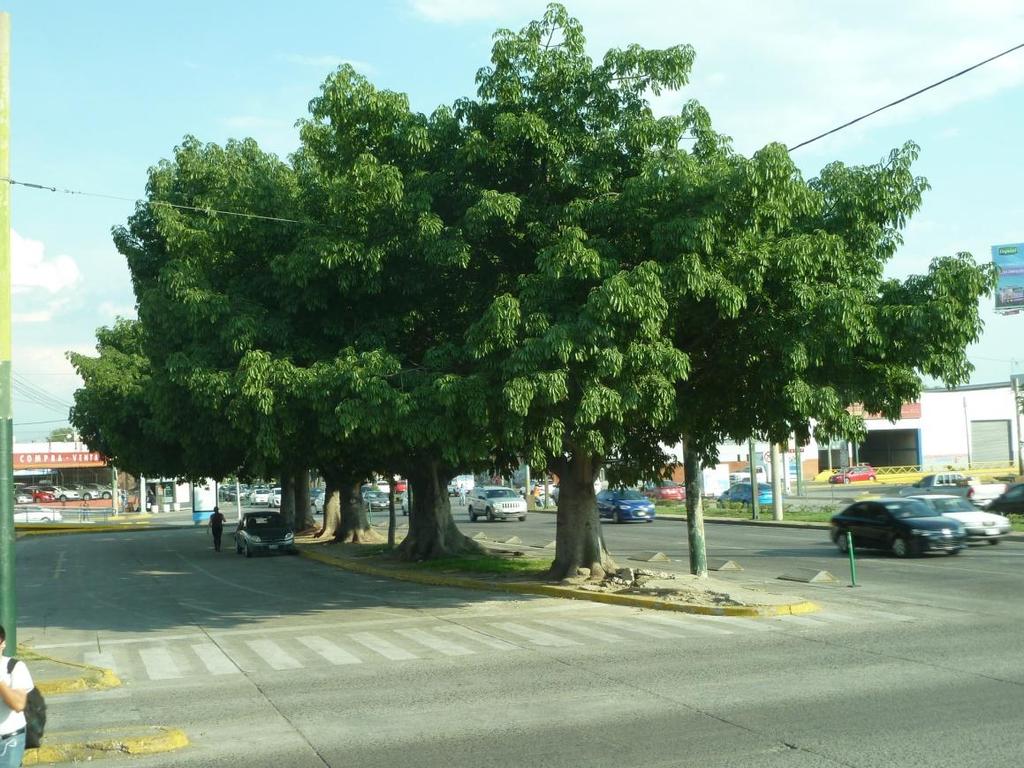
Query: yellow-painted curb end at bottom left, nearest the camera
{"type": "Point", "coordinates": [83, 746]}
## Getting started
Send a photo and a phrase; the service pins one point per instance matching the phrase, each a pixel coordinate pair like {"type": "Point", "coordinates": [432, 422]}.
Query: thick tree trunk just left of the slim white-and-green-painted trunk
{"type": "Point", "coordinates": [579, 542]}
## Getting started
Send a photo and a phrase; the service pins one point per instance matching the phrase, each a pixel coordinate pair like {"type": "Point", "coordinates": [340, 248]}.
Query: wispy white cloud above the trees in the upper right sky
{"type": "Point", "coordinates": [789, 70]}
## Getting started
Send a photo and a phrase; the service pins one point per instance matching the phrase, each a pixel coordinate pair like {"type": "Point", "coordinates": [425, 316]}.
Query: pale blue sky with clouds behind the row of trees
{"type": "Point", "coordinates": [103, 91]}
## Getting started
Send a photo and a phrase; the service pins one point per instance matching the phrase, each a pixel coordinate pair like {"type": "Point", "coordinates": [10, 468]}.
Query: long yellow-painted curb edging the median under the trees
{"type": "Point", "coordinates": [550, 590]}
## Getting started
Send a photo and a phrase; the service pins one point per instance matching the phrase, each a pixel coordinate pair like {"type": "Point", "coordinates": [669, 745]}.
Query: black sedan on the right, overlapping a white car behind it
{"type": "Point", "coordinates": [905, 527]}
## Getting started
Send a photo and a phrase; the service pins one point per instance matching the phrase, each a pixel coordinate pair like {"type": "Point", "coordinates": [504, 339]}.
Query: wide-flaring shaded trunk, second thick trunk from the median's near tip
{"type": "Point", "coordinates": [433, 532]}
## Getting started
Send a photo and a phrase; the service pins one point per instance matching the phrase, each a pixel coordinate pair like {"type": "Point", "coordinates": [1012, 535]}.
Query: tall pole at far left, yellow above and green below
{"type": "Point", "coordinates": [9, 607]}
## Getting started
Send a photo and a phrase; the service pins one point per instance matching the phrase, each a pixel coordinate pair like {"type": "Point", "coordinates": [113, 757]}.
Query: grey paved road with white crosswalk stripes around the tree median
{"type": "Point", "coordinates": [277, 662]}
